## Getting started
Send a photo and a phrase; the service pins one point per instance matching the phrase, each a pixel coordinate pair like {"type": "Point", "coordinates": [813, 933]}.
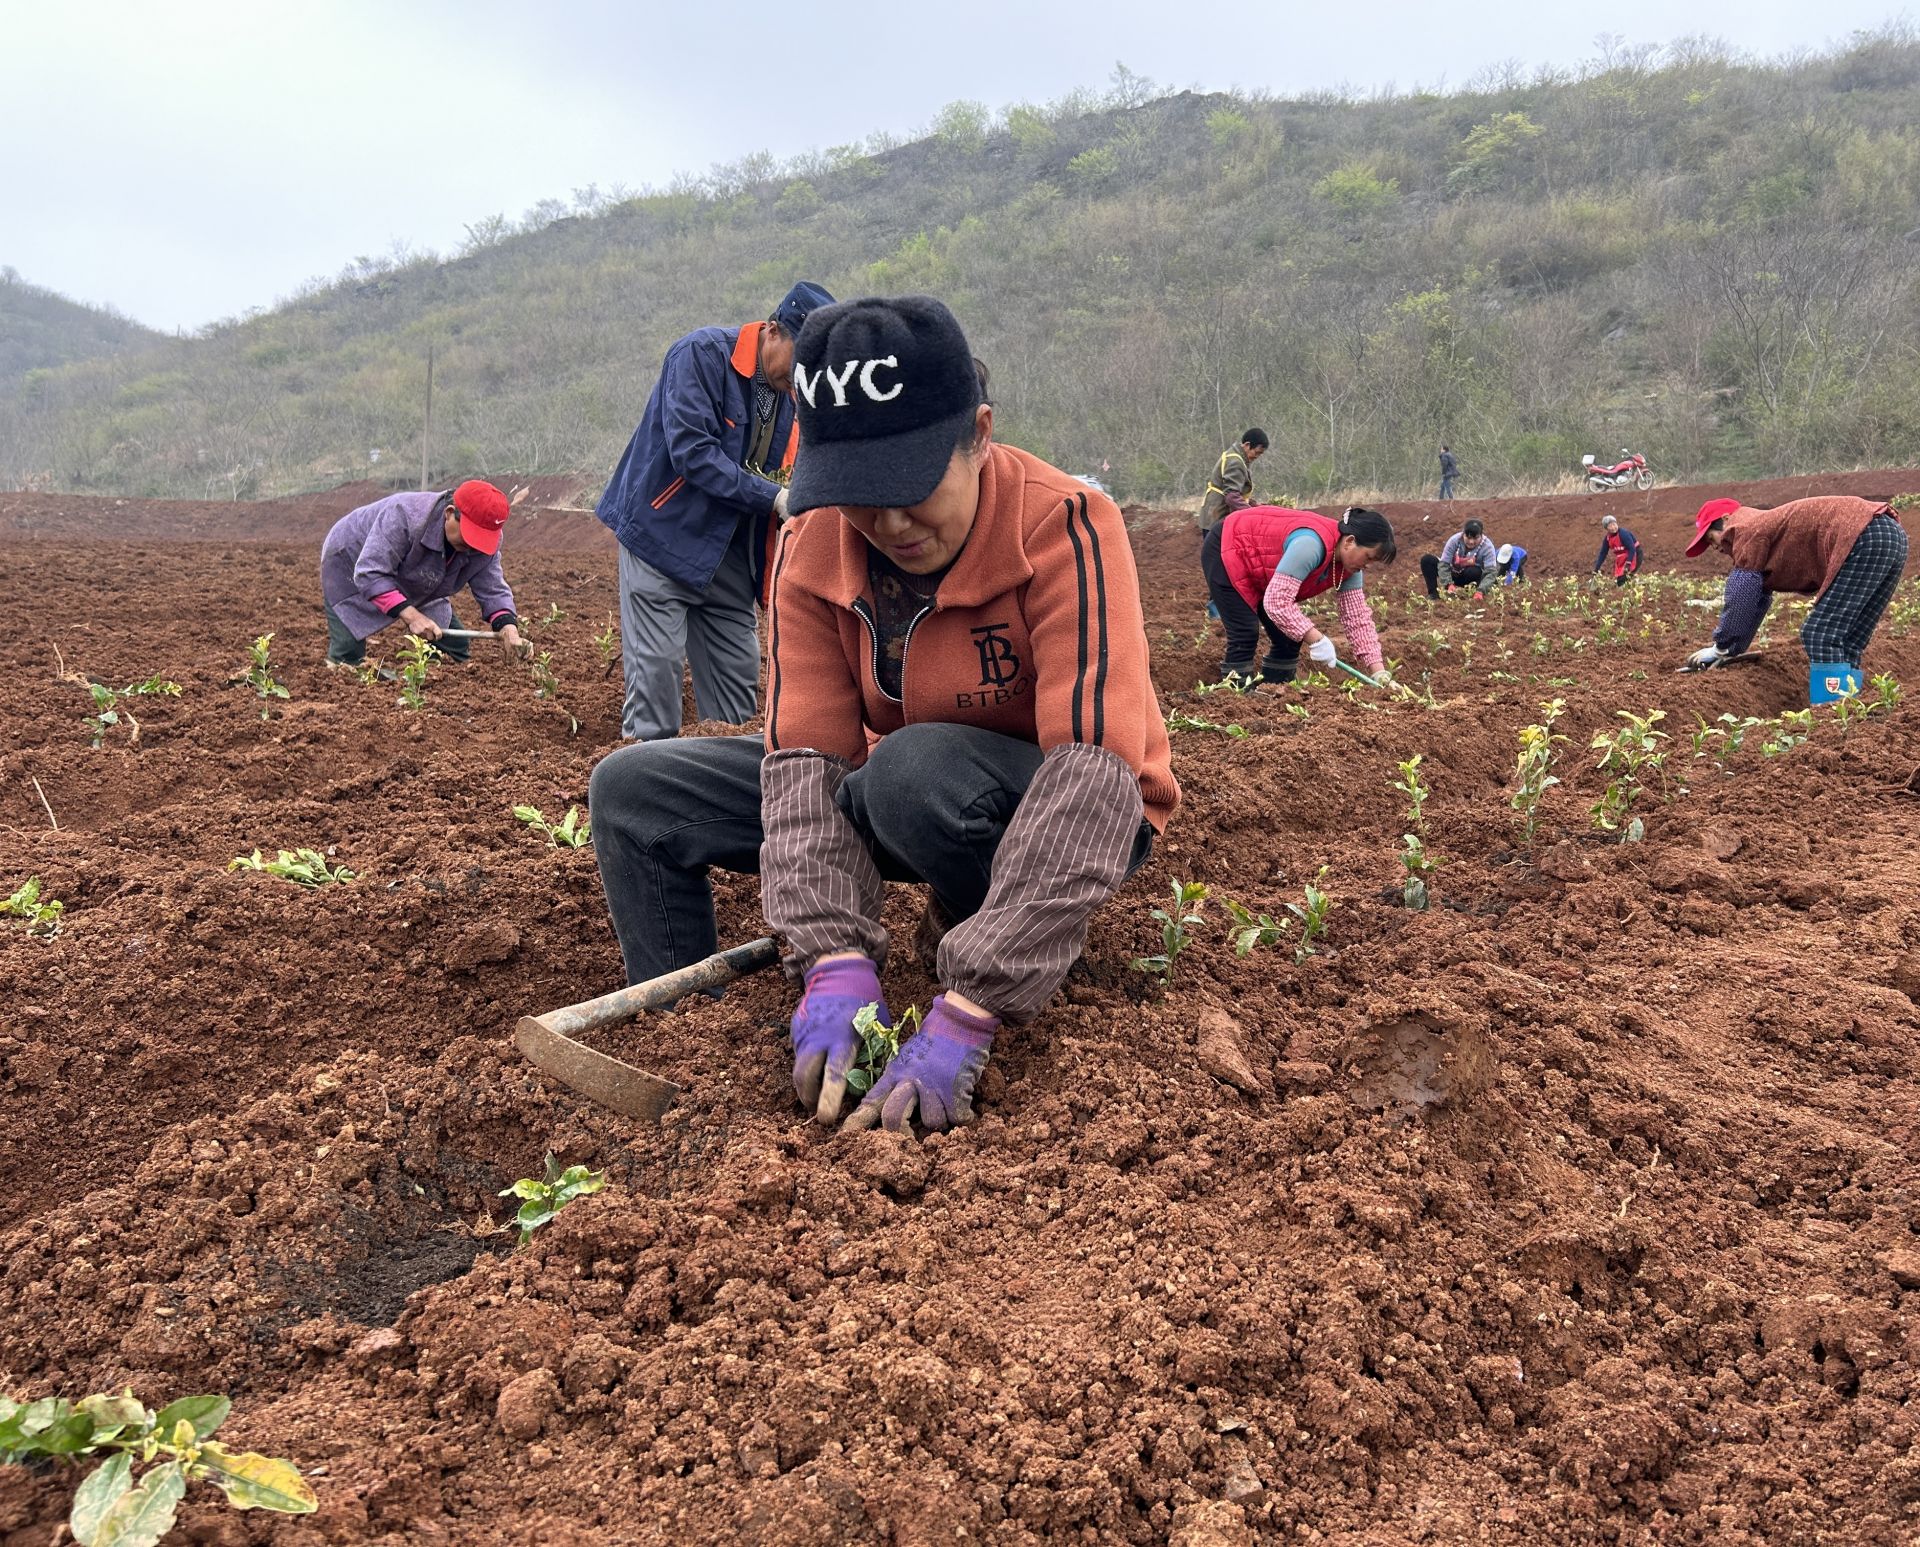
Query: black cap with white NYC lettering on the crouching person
{"type": "Point", "coordinates": [884, 389]}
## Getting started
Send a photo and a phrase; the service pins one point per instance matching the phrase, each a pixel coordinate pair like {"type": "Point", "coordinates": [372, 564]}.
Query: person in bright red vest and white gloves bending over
{"type": "Point", "coordinates": [1262, 563]}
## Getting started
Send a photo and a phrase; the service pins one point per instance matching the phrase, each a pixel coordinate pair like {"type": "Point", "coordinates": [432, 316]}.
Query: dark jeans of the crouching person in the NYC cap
{"type": "Point", "coordinates": [930, 803]}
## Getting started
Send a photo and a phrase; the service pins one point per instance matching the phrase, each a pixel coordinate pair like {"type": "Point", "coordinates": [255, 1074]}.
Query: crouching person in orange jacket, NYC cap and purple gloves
{"type": "Point", "coordinates": [959, 696]}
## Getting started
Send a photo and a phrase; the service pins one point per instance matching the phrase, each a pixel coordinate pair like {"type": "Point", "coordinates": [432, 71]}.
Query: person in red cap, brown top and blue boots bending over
{"type": "Point", "coordinates": [1848, 554]}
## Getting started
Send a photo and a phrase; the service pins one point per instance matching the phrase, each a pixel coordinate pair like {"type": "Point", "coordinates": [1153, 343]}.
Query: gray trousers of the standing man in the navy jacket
{"type": "Point", "coordinates": [667, 627]}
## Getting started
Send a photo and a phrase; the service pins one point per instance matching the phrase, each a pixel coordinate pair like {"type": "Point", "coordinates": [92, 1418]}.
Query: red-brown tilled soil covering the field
{"type": "Point", "coordinates": [1577, 1208]}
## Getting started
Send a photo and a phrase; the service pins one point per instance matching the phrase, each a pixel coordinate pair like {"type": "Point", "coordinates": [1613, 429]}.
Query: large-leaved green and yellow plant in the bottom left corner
{"type": "Point", "coordinates": [112, 1506]}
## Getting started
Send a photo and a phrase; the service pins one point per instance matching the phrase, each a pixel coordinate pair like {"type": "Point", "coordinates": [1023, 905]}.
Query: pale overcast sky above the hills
{"type": "Point", "coordinates": [185, 160]}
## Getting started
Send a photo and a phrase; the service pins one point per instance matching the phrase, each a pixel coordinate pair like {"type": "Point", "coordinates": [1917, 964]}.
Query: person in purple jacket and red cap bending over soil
{"type": "Point", "coordinates": [404, 558]}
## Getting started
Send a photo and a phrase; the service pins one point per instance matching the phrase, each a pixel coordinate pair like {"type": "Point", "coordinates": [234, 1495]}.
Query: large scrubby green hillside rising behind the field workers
{"type": "Point", "coordinates": [1702, 256]}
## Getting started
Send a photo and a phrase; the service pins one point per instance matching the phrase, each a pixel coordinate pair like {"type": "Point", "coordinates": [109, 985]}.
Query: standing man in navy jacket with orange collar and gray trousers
{"type": "Point", "coordinates": [692, 502]}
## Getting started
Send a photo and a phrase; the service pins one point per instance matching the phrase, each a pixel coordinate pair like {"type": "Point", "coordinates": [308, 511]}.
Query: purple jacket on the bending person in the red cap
{"type": "Point", "coordinates": [391, 554]}
